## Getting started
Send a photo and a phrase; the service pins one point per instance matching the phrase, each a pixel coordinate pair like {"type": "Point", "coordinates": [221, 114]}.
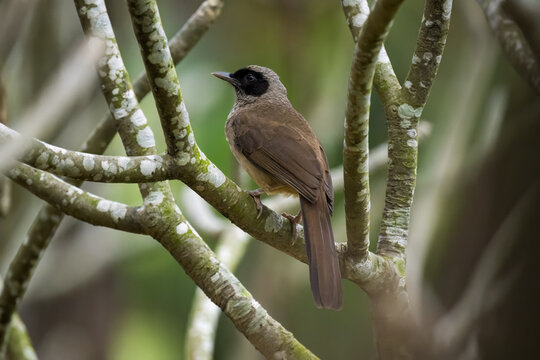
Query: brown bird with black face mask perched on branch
{"type": "Point", "coordinates": [280, 151]}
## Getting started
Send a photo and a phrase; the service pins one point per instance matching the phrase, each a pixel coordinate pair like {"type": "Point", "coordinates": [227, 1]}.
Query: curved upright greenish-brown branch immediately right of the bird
{"type": "Point", "coordinates": [356, 148]}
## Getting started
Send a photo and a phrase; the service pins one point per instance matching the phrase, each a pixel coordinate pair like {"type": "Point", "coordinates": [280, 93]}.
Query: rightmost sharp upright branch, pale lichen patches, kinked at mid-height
{"type": "Point", "coordinates": [403, 117]}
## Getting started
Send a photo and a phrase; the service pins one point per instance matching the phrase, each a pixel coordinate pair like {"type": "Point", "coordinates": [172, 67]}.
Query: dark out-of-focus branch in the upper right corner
{"type": "Point", "coordinates": [512, 41]}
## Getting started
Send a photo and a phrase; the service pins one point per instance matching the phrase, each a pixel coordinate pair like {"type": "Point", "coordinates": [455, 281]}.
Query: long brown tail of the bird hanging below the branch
{"type": "Point", "coordinates": [324, 273]}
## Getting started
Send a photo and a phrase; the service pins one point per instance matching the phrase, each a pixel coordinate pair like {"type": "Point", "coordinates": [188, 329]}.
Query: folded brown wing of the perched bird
{"type": "Point", "coordinates": [282, 144]}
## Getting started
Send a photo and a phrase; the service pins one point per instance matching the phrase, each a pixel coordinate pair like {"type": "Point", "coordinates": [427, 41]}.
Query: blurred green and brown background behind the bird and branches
{"type": "Point", "coordinates": [103, 294]}
